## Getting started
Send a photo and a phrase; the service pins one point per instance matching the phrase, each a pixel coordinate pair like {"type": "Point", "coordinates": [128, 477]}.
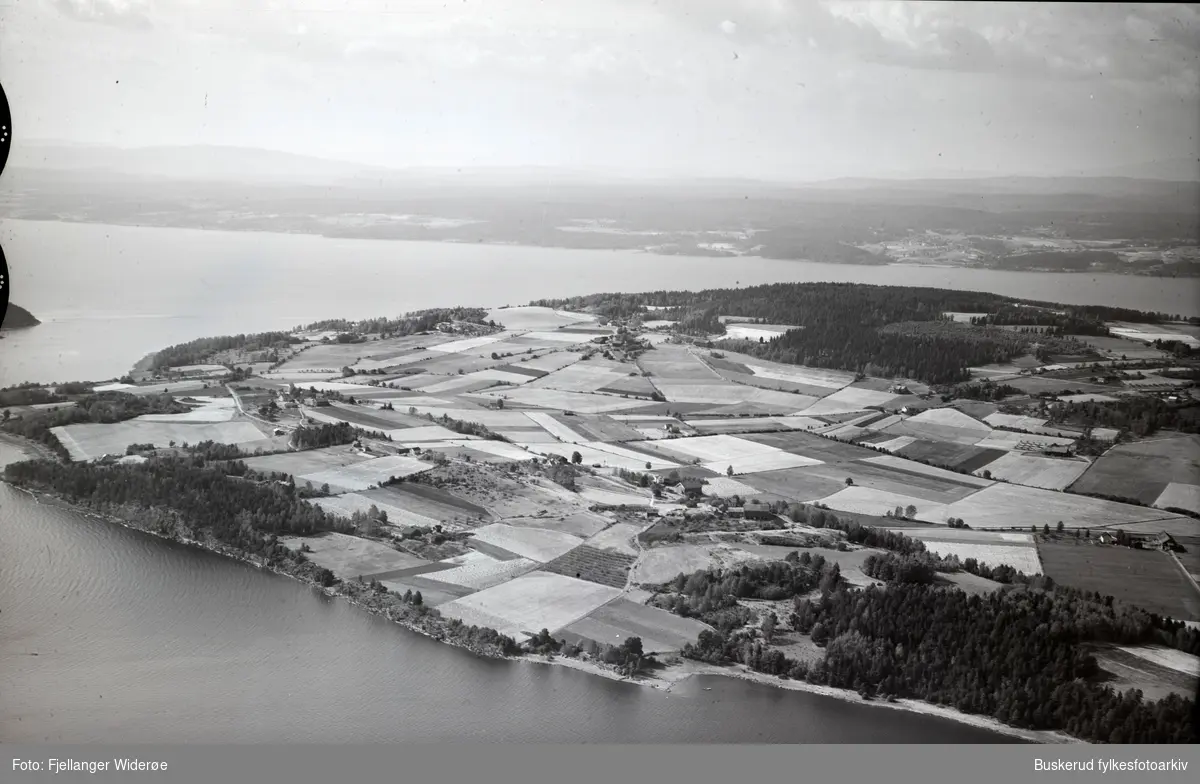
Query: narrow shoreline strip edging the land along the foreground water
{"type": "Point", "coordinates": [662, 680]}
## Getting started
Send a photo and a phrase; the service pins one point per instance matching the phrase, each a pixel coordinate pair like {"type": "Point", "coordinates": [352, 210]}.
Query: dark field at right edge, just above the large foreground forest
{"type": "Point", "coordinates": [1145, 578]}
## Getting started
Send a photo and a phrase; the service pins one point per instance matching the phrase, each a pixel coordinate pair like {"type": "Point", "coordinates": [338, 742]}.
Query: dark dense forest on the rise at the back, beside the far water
{"type": "Point", "coordinates": [879, 331]}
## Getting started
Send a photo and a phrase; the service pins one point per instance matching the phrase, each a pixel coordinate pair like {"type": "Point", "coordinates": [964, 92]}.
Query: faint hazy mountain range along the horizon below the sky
{"type": "Point", "coordinates": [260, 166]}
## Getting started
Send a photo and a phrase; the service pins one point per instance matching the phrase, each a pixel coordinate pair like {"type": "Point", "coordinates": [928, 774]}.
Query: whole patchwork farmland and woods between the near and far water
{"type": "Point", "coordinates": [937, 501]}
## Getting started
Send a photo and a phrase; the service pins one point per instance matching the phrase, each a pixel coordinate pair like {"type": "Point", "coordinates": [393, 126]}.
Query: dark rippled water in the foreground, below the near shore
{"type": "Point", "coordinates": [140, 639]}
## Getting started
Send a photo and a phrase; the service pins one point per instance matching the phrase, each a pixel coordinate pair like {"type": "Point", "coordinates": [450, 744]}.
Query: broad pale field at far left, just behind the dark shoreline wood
{"type": "Point", "coordinates": [89, 441]}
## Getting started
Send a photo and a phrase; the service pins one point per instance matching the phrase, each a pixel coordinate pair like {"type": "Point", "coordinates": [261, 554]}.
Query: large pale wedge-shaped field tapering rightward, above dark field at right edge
{"type": "Point", "coordinates": [1007, 506]}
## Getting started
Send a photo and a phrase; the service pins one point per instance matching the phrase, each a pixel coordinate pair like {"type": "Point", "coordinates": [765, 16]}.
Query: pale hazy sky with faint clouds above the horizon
{"type": "Point", "coordinates": [770, 89]}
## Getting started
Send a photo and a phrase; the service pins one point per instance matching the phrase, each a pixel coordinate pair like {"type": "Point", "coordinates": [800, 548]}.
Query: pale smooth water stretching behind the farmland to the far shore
{"type": "Point", "coordinates": [112, 295]}
